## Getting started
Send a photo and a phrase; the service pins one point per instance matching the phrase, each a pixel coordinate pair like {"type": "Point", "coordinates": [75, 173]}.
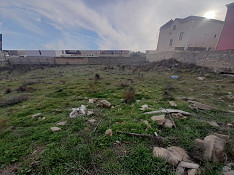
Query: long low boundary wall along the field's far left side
{"type": "Point", "coordinates": [75, 60]}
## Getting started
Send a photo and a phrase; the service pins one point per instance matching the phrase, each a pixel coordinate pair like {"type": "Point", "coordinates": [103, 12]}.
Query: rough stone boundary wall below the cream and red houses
{"type": "Point", "coordinates": [219, 61]}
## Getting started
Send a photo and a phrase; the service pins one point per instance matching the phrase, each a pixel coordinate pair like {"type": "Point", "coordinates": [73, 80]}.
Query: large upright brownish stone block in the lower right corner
{"type": "Point", "coordinates": [213, 147]}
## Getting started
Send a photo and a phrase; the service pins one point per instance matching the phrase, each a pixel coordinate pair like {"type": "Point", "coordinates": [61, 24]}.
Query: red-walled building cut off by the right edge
{"type": "Point", "coordinates": [226, 41]}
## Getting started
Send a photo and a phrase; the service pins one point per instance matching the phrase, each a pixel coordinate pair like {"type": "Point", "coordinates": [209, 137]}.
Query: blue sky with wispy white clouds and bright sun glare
{"type": "Point", "coordinates": [94, 24]}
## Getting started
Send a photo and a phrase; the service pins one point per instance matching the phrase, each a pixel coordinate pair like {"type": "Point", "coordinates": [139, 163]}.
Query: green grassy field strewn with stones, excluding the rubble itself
{"type": "Point", "coordinates": [28, 146]}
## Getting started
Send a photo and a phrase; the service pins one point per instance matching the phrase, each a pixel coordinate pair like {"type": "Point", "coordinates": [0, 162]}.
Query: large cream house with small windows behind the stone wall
{"type": "Point", "coordinates": [191, 33]}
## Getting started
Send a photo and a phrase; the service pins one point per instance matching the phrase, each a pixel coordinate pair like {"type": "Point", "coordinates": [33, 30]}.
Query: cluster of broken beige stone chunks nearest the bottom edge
{"type": "Point", "coordinates": [178, 157]}
